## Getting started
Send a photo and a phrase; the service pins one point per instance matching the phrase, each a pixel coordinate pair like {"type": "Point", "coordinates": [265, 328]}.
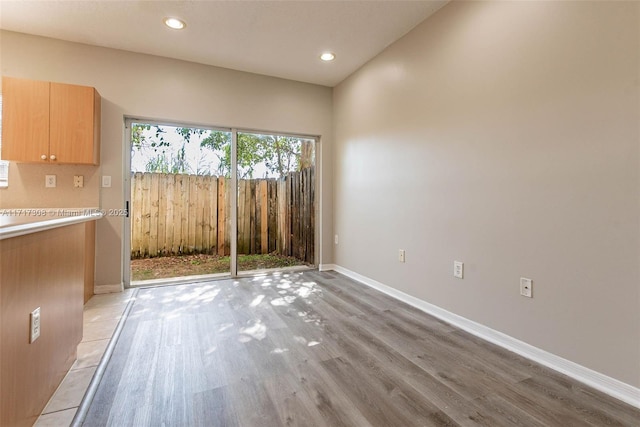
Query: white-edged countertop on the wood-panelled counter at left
{"type": "Point", "coordinates": [18, 222]}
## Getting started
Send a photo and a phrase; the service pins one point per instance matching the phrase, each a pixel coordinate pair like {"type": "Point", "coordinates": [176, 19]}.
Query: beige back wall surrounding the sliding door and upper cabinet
{"type": "Point", "coordinates": [152, 87]}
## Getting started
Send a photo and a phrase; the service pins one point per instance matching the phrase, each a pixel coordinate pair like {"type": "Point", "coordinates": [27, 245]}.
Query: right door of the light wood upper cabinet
{"type": "Point", "coordinates": [73, 124]}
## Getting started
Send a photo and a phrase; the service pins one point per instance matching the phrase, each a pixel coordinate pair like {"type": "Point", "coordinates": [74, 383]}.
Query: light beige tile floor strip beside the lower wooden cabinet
{"type": "Point", "coordinates": [101, 316]}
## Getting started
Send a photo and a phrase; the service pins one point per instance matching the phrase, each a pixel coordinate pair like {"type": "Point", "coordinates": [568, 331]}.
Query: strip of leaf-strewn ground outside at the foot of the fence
{"type": "Point", "coordinates": [192, 265]}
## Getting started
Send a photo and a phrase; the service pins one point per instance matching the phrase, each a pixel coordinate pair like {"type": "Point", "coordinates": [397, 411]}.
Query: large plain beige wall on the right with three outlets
{"type": "Point", "coordinates": [505, 135]}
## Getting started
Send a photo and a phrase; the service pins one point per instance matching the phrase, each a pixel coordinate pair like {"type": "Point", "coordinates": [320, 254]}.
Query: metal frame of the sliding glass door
{"type": "Point", "coordinates": [233, 268]}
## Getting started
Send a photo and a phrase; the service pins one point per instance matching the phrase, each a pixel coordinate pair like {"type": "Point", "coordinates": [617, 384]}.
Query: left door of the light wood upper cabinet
{"type": "Point", "coordinates": [25, 120]}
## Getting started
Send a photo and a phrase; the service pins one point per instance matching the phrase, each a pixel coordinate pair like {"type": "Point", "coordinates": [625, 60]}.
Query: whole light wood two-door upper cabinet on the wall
{"type": "Point", "coordinates": [46, 122]}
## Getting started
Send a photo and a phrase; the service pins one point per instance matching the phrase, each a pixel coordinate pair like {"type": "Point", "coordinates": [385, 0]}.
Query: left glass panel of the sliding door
{"type": "Point", "coordinates": [180, 202]}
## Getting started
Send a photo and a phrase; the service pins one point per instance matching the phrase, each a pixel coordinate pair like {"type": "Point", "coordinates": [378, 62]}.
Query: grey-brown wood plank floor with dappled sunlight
{"type": "Point", "coordinates": [317, 349]}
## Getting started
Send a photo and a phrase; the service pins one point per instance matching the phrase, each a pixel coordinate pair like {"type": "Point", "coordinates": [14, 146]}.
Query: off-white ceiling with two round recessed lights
{"type": "Point", "coordinates": [275, 38]}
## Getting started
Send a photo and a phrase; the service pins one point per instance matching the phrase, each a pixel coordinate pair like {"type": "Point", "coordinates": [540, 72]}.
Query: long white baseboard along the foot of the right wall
{"type": "Point", "coordinates": [615, 388]}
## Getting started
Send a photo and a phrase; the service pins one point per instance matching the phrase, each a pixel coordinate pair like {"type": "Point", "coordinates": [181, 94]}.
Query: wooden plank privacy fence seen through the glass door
{"type": "Point", "coordinates": [188, 214]}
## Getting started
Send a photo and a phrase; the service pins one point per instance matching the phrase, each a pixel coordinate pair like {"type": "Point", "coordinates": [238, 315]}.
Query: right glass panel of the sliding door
{"type": "Point", "coordinates": [275, 202]}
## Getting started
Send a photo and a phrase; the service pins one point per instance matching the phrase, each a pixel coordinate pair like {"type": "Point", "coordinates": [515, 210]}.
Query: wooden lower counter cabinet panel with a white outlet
{"type": "Point", "coordinates": [45, 269]}
